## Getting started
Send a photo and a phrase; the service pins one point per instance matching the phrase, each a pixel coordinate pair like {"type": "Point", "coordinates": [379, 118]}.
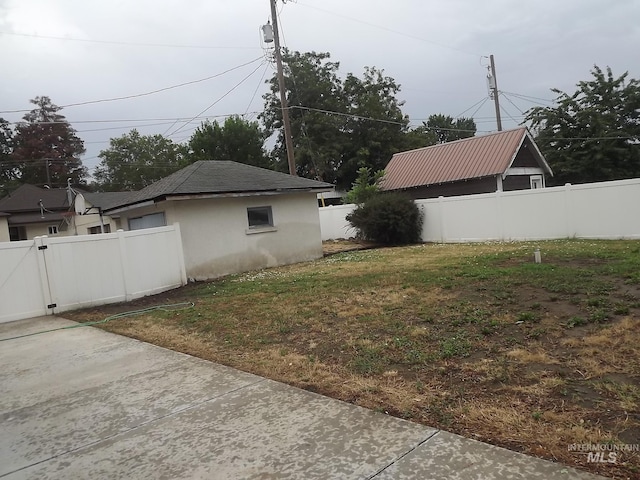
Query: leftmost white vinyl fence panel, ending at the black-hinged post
{"type": "Point", "coordinates": [21, 291]}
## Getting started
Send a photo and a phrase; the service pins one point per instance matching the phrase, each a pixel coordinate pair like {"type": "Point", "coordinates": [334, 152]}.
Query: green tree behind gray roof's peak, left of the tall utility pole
{"type": "Point", "coordinates": [237, 139]}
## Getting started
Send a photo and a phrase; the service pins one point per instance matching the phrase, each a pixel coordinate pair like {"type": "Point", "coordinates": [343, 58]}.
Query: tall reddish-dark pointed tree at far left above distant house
{"type": "Point", "coordinates": [46, 148]}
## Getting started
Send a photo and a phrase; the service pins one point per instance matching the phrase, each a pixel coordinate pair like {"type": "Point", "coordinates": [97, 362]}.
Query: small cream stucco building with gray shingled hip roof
{"type": "Point", "coordinates": [233, 217]}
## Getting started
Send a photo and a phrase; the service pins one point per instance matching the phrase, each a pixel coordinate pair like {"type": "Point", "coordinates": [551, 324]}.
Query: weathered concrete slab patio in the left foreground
{"type": "Point", "coordinates": [83, 403]}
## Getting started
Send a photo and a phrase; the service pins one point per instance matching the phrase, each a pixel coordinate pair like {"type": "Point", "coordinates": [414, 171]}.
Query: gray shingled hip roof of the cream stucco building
{"type": "Point", "coordinates": [210, 177]}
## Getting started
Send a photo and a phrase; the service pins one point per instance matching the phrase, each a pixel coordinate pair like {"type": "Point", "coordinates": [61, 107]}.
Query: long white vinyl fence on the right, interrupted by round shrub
{"type": "Point", "coordinates": [606, 210]}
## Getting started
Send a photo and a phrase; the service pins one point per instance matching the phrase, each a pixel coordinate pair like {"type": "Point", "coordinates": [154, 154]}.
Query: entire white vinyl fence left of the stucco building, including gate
{"type": "Point", "coordinates": [49, 275]}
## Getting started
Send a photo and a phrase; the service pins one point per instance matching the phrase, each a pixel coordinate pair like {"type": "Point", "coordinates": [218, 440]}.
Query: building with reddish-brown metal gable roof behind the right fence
{"type": "Point", "coordinates": [502, 161]}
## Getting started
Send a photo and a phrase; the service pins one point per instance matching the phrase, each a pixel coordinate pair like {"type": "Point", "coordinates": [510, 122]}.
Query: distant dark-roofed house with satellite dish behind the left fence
{"type": "Point", "coordinates": [30, 211]}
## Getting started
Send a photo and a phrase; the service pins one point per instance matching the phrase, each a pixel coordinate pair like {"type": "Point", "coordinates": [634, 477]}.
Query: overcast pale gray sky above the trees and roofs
{"type": "Point", "coordinates": [79, 51]}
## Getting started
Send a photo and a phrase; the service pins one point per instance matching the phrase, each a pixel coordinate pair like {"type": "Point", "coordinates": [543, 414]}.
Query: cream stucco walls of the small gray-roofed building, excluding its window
{"type": "Point", "coordinates": [217, 240]}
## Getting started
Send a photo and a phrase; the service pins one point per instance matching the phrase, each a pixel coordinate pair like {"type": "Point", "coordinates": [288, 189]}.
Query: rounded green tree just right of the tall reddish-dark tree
{"type": "Point", "coordinates": [134, 161]}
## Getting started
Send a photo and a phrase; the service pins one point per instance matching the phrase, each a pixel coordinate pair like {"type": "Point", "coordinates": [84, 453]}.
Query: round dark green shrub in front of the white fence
{"type": "Point", "coordinates": [390, 218]}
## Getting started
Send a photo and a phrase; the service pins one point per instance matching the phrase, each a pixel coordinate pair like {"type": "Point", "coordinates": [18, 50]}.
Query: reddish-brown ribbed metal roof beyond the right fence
{"type": "Point", "coordinates": [474, 157]}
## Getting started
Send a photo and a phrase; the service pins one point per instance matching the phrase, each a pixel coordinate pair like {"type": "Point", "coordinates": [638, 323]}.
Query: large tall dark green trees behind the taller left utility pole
{"type": "Point", "coordinates": [338, 125]}
